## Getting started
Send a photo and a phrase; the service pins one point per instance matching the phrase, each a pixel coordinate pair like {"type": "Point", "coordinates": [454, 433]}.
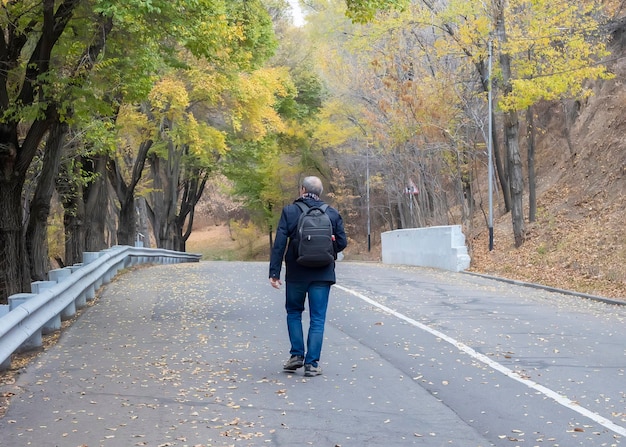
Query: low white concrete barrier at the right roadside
{"type": "Point", "coordinates": [440, 247]}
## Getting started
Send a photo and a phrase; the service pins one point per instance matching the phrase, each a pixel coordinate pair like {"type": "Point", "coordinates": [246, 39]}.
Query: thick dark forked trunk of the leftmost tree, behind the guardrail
{"type": "Point", "coordinates": [32, 49]}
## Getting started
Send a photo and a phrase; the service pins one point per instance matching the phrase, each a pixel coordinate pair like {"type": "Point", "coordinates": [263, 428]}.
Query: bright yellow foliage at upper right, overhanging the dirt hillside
{"type": "Point", "coordinates": [552, 49]}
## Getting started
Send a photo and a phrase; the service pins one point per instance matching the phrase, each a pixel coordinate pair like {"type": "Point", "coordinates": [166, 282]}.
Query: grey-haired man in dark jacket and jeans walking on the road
{"type": "Point", "coordinates": [302, 281]}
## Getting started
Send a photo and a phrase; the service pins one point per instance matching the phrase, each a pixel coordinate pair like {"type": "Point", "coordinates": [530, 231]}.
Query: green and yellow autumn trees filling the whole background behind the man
{"type": "Point", "coordinates": [109, 104]}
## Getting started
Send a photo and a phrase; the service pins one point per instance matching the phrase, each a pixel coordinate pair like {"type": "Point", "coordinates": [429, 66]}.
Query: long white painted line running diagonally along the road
{"type": "Point", "coordinates": [558, 398]}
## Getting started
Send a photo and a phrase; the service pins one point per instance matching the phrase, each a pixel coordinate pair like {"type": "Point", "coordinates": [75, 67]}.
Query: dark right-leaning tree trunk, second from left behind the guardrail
{"type": "Point", "coordinates": [37, 229]}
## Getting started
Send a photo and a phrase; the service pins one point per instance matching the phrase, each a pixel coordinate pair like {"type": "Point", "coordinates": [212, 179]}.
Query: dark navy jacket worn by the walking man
{"type": "Point", "coordinates": [286, 233]}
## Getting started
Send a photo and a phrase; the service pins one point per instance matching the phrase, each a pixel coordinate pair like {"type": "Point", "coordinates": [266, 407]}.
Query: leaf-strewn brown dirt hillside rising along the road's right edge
{"type": "Point", "coordinates": [578, 242]}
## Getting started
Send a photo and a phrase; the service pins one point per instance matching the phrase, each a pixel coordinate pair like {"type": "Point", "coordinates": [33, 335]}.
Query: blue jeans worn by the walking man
{"type": "Point", "coordinates": [296, 293]}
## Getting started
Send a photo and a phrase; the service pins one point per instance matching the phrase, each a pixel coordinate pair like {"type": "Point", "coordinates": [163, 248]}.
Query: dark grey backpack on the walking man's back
{"type": "Point", "coordinates": [315, 237]}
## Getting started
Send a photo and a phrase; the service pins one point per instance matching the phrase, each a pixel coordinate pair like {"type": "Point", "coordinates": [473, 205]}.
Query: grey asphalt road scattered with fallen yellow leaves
{"type": "Point", "coordinates": [191, 355]}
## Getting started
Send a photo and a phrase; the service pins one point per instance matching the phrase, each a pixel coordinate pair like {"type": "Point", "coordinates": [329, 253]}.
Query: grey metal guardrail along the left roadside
{"type": "Point", "coordinates": [28, 316]}
